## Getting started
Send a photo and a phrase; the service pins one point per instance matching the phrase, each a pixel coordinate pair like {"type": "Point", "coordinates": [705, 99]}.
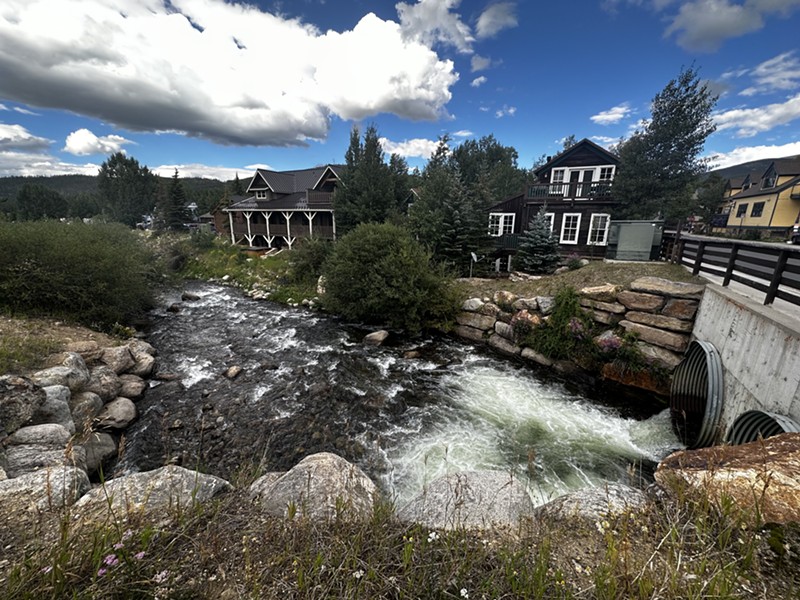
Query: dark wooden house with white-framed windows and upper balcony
{"type": "Point", "coordinates": [575, 190]}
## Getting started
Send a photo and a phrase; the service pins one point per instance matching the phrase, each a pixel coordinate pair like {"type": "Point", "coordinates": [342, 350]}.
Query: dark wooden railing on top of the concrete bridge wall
{"type": "Point", "coordinates": [773, 269]}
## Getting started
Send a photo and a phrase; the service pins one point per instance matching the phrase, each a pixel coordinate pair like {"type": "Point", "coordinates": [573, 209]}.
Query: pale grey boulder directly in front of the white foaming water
{"type": "Point", "coordinates": [470, 499]}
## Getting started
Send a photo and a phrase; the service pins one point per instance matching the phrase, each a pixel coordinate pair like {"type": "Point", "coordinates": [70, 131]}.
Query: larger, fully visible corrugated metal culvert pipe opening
{"type": "Point", "coordinates": [695, 399]}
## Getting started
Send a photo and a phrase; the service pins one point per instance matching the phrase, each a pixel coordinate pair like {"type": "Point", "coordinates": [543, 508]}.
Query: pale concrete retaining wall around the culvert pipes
{"type": "Point", "coordinates": [760, 352]}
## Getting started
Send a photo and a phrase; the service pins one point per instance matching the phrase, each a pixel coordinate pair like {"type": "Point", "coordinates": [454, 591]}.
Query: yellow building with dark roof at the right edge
{"type": "Point", "coordinates": [770, 206]}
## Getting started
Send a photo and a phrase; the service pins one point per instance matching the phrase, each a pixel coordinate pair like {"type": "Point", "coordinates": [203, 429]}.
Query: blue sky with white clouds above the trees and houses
{"type": "Point", "coordinates": [215, 88]}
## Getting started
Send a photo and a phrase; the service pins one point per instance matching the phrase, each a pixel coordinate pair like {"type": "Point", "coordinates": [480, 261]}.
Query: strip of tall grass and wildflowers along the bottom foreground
{"type": "Point", "coordinates": [684, 548]}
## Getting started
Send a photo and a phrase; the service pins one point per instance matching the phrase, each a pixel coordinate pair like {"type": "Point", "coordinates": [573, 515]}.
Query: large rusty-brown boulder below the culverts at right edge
{"type": "Point", "coordinates": [762, 478]}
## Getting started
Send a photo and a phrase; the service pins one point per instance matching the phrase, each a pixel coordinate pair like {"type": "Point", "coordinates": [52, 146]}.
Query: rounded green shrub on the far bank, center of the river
{"type": "Point", "coordinates": [380, 274]}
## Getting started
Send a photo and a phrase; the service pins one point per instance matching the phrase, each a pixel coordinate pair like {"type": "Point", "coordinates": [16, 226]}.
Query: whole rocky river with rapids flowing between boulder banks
{"type": "Point", "coordinates": [309, 385]}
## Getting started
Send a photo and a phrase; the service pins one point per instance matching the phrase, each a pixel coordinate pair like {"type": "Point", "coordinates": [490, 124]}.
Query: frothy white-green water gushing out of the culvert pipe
{"type": "Point", "coordinates": [498, 419]}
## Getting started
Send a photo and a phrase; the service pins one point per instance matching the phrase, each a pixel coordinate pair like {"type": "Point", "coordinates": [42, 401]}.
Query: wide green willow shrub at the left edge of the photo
{"type": "Point", "coordinates": [98, 275]}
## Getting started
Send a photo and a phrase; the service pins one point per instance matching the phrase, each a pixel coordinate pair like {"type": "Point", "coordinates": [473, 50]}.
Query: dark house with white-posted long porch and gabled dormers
{"type": "Point", "coordinates": [281, 207]}
